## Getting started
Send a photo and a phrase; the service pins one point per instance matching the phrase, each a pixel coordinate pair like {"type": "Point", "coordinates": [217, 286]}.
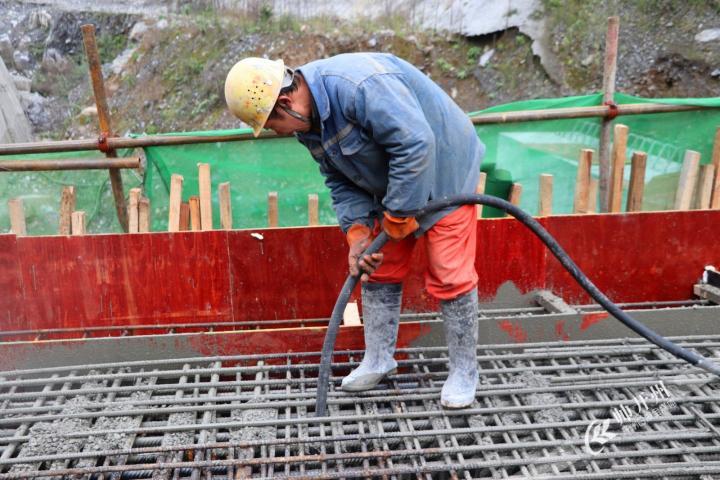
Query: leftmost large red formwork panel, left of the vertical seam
{"type": "Point", "coordinates": [103, 280]}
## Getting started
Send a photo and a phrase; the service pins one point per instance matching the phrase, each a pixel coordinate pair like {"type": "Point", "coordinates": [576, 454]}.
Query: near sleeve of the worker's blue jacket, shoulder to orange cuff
{"type": "Point", "coordinates": [389, 111]}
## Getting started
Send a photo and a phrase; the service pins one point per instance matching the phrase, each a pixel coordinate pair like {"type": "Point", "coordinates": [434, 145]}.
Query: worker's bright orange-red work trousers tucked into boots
{"type": "Point", "coordinates": [450, 246]}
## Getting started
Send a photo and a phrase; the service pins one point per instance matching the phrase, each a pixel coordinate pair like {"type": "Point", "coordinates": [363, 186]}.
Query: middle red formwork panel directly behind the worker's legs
{"type": "Point", "coordinates": [298, 272]}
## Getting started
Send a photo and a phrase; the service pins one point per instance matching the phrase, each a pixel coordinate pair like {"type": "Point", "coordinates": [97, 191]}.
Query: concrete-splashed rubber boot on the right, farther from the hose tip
{"type": "Point", "coordinates": [461, 332]}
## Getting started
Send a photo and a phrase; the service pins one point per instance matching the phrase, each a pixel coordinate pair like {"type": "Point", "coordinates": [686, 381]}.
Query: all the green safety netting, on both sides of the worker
{"type": "Point", "coordinates": [516, 152]}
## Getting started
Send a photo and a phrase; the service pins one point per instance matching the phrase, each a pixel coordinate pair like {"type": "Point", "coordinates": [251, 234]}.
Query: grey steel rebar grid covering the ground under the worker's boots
{"type": "Point", "coordinates": [252, 417]}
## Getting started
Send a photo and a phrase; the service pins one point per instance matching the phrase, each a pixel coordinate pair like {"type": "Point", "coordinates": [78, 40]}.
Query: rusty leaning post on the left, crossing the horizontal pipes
{"type": "Point", "coordinates": [88, 32]}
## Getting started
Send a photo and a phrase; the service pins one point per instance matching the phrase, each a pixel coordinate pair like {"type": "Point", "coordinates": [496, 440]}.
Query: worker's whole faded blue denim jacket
{"type": "Point", "coordinates": [391, 139]}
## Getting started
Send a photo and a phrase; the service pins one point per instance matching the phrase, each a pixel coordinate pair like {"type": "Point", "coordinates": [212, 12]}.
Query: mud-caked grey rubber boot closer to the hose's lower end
{"type": "Point", "coordinates": [381, 313]}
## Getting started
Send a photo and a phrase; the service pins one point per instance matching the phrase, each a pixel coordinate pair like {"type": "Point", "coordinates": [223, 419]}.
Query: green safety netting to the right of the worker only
{"type": "Point", "coordinates": [522, 151]}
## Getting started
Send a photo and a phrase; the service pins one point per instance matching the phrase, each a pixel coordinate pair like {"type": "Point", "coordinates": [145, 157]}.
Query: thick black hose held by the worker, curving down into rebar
{"type": "Point", "coordinates": [527, 220]}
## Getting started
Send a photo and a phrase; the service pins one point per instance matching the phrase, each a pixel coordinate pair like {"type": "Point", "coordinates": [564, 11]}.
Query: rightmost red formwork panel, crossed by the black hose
{"type": "Point", "coordinates": [635, 257]}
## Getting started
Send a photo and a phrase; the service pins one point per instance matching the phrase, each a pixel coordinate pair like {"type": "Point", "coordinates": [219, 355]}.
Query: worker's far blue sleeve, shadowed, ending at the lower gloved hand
{"type": "Point", "coordinates": [351, 203]}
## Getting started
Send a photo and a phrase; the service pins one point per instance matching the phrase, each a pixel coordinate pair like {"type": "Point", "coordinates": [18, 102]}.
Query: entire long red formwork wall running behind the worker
{"type": "Point", "coordinates": [285, 273]}
